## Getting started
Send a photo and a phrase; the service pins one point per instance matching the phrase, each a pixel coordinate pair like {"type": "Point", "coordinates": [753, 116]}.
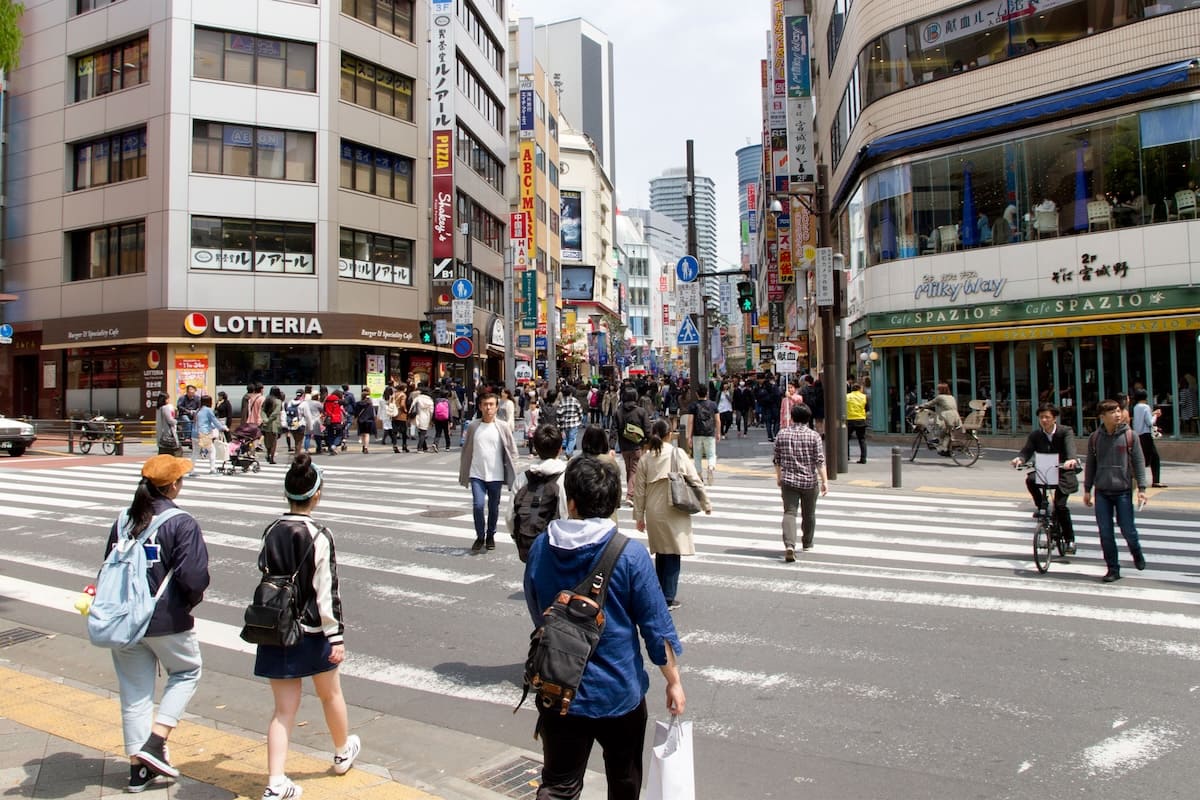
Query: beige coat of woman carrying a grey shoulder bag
{"type": "Point", "coordinates": [668, 530]}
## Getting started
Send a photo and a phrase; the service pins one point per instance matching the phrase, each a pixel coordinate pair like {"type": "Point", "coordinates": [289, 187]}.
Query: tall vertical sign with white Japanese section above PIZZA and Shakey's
{"type": "Point", "coordinates": [442, 122]}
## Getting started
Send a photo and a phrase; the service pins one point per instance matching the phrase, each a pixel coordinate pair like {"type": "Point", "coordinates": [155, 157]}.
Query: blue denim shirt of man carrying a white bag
{"type": "Point", "coordinates": [615, 681]}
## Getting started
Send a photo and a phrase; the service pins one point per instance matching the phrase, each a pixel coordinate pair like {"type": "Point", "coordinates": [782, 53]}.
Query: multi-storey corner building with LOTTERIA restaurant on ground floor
{"type": "Point", "coordinates": [213, 195]}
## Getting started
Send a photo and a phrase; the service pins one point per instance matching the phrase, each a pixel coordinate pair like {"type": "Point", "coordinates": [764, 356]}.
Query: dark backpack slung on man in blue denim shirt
{"type": "Point", "coordinates": [561, 647]}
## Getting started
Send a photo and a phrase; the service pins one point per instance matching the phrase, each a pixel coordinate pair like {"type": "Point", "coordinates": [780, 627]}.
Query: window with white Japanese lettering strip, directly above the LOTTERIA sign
{"type": "Point", "coordinates": [253, 246]}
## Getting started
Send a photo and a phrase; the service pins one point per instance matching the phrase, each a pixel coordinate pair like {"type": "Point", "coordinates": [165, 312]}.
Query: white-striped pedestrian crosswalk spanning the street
{"type": "Point", "coordinates": [415, 593]}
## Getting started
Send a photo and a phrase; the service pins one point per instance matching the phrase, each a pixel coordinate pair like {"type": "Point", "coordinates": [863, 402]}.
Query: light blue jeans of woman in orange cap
{"type": "Point", "coordinates": [179, 654]}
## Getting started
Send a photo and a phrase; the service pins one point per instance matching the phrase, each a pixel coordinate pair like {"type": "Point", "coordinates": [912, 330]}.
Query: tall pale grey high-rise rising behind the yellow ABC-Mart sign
{"type": "Point", "coordinates": [578, 57]}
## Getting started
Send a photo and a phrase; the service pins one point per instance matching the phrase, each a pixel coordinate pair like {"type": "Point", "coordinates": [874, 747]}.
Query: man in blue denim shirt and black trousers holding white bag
{"type": "Point", "coordinates": [610, 706]}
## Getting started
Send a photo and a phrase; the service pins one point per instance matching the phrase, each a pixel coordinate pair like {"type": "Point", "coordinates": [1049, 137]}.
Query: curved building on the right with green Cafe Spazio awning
{"type": "Point", "coordinates": [1017, 204]}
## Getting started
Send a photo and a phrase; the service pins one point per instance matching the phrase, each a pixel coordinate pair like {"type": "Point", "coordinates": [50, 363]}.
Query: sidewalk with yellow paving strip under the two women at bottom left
{"type": "Point", "coordinates": [61, 737]}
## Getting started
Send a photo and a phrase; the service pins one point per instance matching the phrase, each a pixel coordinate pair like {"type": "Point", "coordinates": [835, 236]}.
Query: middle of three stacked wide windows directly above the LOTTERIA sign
{"type": "Point", "coordinates": [249, 152]}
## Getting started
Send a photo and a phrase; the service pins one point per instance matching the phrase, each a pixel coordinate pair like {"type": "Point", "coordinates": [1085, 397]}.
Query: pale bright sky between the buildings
{"type": "Point", "coordinates": [683, 71]}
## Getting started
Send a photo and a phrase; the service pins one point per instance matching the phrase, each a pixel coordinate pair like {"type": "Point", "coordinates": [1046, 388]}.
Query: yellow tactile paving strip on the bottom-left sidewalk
{"type": "Point", "coordinates": [233, 762]}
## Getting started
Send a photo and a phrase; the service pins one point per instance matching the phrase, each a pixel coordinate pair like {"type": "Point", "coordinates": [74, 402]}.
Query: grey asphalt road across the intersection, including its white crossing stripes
{"type": "Point", "coordinates": [915, 653]}
